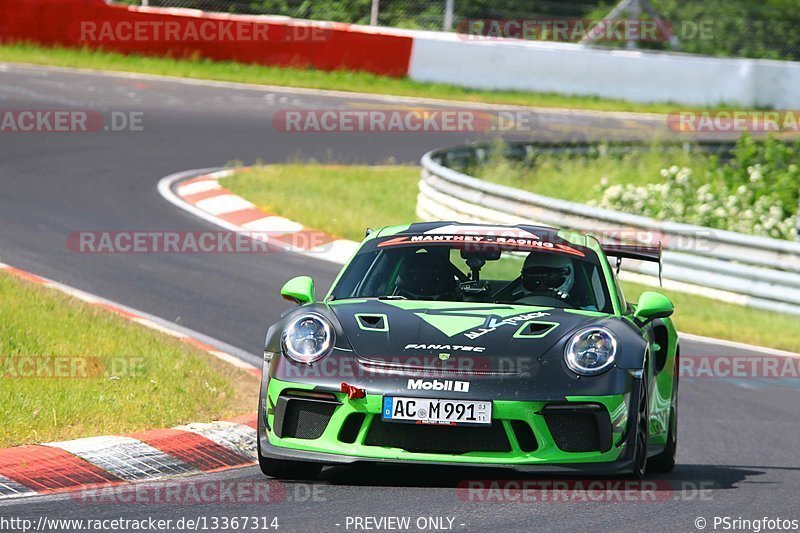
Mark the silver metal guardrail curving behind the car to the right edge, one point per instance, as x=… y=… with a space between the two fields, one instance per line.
x=754 y=271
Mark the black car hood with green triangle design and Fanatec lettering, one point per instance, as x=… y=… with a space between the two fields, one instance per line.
x=431 y=333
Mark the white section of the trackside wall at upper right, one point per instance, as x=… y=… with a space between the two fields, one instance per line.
x=637 y=76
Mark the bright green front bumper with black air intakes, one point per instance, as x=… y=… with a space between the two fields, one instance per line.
x=582 y=433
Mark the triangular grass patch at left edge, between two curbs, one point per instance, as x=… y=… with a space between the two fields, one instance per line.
x=119 y=376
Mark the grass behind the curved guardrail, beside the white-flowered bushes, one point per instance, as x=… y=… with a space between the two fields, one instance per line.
x=577 y=178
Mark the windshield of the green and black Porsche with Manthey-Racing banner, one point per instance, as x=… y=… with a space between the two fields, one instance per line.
x=559 y=276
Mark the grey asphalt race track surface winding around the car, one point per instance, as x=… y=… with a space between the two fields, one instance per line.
x=738 y=438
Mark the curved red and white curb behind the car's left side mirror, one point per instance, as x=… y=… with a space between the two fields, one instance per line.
x=206 y=198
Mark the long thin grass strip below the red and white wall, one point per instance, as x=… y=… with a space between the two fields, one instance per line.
x=314 y=79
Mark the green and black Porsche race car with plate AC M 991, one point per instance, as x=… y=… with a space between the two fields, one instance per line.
x=462 y=344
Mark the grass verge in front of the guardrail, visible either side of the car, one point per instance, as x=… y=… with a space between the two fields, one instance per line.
x=360 y=197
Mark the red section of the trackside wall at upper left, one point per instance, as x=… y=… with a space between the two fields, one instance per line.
x=189 y=33
